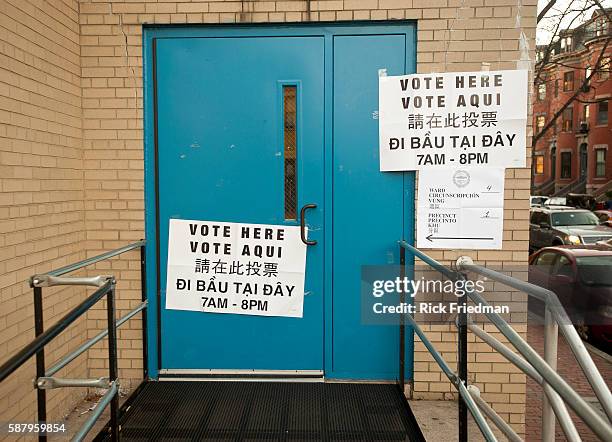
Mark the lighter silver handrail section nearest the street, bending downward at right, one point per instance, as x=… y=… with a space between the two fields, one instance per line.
x=551 y=378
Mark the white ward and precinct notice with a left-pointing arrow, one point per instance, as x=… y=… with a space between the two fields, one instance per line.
x=460 y=209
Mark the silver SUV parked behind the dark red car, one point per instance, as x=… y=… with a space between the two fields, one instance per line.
x=552 y=226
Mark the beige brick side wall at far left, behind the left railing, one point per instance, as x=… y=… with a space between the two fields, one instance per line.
x=42 y=218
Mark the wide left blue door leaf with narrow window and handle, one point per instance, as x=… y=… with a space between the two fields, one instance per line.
x=220 y=147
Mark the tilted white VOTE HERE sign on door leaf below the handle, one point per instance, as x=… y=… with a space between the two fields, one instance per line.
x=246 y=269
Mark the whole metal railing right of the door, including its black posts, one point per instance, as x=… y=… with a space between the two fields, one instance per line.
x=557 y=391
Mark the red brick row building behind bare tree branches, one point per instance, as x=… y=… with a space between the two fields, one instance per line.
x=573 y=155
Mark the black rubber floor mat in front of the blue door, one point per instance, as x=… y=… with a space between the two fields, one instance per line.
x=269 y=411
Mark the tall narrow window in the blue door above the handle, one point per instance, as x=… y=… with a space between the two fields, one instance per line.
x=290 y=149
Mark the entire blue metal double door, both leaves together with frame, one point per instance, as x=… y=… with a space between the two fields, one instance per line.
x=214 y=151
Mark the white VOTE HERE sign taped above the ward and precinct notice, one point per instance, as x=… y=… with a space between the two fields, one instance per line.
x=455 y=119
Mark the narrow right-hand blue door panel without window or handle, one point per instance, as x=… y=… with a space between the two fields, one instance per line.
x=369 y=206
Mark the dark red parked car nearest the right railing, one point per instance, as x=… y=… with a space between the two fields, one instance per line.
x=580 y=276
